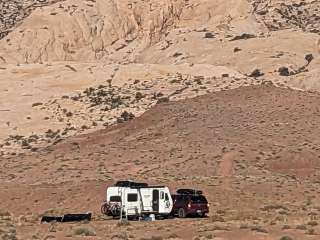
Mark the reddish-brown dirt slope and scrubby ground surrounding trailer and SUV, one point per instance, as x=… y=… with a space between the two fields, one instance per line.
x=256 y=160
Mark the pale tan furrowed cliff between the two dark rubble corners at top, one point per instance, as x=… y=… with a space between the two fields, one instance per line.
x=111 y=30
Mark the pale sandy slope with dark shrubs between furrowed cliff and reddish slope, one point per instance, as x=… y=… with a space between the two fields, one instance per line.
x=44 y=104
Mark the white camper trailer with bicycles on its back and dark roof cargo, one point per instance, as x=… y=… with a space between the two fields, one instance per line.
x=137 y=199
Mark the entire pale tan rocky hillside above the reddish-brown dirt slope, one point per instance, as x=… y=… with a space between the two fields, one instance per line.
x=63 y=48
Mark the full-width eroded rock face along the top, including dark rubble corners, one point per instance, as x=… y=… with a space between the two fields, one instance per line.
x=118 y=31
